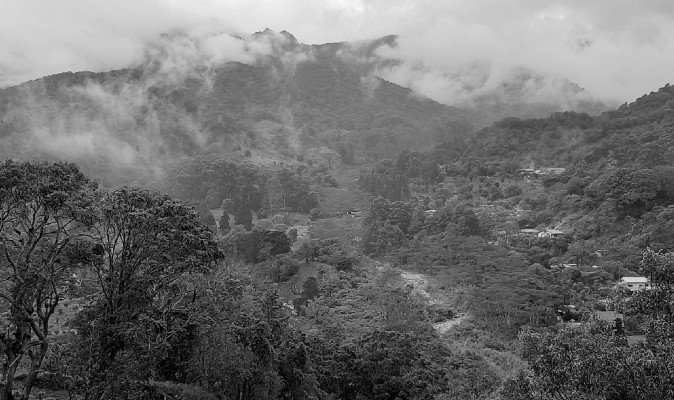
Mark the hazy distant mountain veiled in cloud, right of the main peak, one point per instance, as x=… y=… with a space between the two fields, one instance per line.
x=492 y=92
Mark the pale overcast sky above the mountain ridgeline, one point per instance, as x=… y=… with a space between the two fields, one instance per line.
x=617 y=49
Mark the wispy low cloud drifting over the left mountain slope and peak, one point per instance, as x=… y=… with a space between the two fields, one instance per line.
x=141 y=119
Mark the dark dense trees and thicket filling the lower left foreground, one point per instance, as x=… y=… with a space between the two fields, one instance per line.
x=165 y=310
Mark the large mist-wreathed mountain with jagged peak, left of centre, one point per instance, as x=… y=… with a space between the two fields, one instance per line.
x=223 y=94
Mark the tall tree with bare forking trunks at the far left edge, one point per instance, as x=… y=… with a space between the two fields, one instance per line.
x=44 y=210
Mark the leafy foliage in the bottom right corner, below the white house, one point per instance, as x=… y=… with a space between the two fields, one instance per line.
x=596 y=360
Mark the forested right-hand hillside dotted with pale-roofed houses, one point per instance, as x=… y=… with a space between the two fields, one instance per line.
x=531 y=229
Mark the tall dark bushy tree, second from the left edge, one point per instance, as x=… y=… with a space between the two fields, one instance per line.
x=141 y=322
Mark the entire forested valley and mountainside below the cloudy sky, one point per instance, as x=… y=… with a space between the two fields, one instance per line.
x=284 y=224
